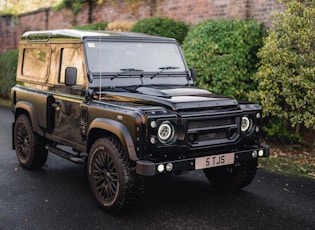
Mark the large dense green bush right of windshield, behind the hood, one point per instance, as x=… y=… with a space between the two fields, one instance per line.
x=224 y=55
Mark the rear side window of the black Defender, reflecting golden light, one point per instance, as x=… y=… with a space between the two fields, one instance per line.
x=36 y=62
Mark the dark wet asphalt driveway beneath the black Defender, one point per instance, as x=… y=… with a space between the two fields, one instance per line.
x=56 y=197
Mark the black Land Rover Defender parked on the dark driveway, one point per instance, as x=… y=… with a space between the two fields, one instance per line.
x=126 y=106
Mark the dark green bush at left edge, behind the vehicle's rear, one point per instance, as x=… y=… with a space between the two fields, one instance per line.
x=8 y=65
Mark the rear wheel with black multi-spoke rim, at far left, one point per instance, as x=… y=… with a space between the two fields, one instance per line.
x=30 y=147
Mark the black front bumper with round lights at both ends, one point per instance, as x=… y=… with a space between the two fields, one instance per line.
x=148 y=168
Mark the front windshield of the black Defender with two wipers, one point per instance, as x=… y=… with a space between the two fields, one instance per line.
x=134 y=56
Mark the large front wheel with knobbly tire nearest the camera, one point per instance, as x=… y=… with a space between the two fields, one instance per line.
x=112 y=177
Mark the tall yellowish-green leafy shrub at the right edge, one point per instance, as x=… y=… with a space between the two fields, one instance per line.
x=286 y=74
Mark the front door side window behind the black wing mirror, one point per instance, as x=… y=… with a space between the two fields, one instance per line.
x=71 y=57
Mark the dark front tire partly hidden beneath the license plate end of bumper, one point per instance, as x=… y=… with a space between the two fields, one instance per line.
x=232 y=177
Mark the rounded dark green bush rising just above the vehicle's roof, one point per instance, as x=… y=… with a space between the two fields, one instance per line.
x=162 y=26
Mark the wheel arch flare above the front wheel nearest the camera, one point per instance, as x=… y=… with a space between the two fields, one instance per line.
x=119 y=130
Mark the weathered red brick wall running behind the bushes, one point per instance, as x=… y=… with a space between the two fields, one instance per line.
x=188 y=11
